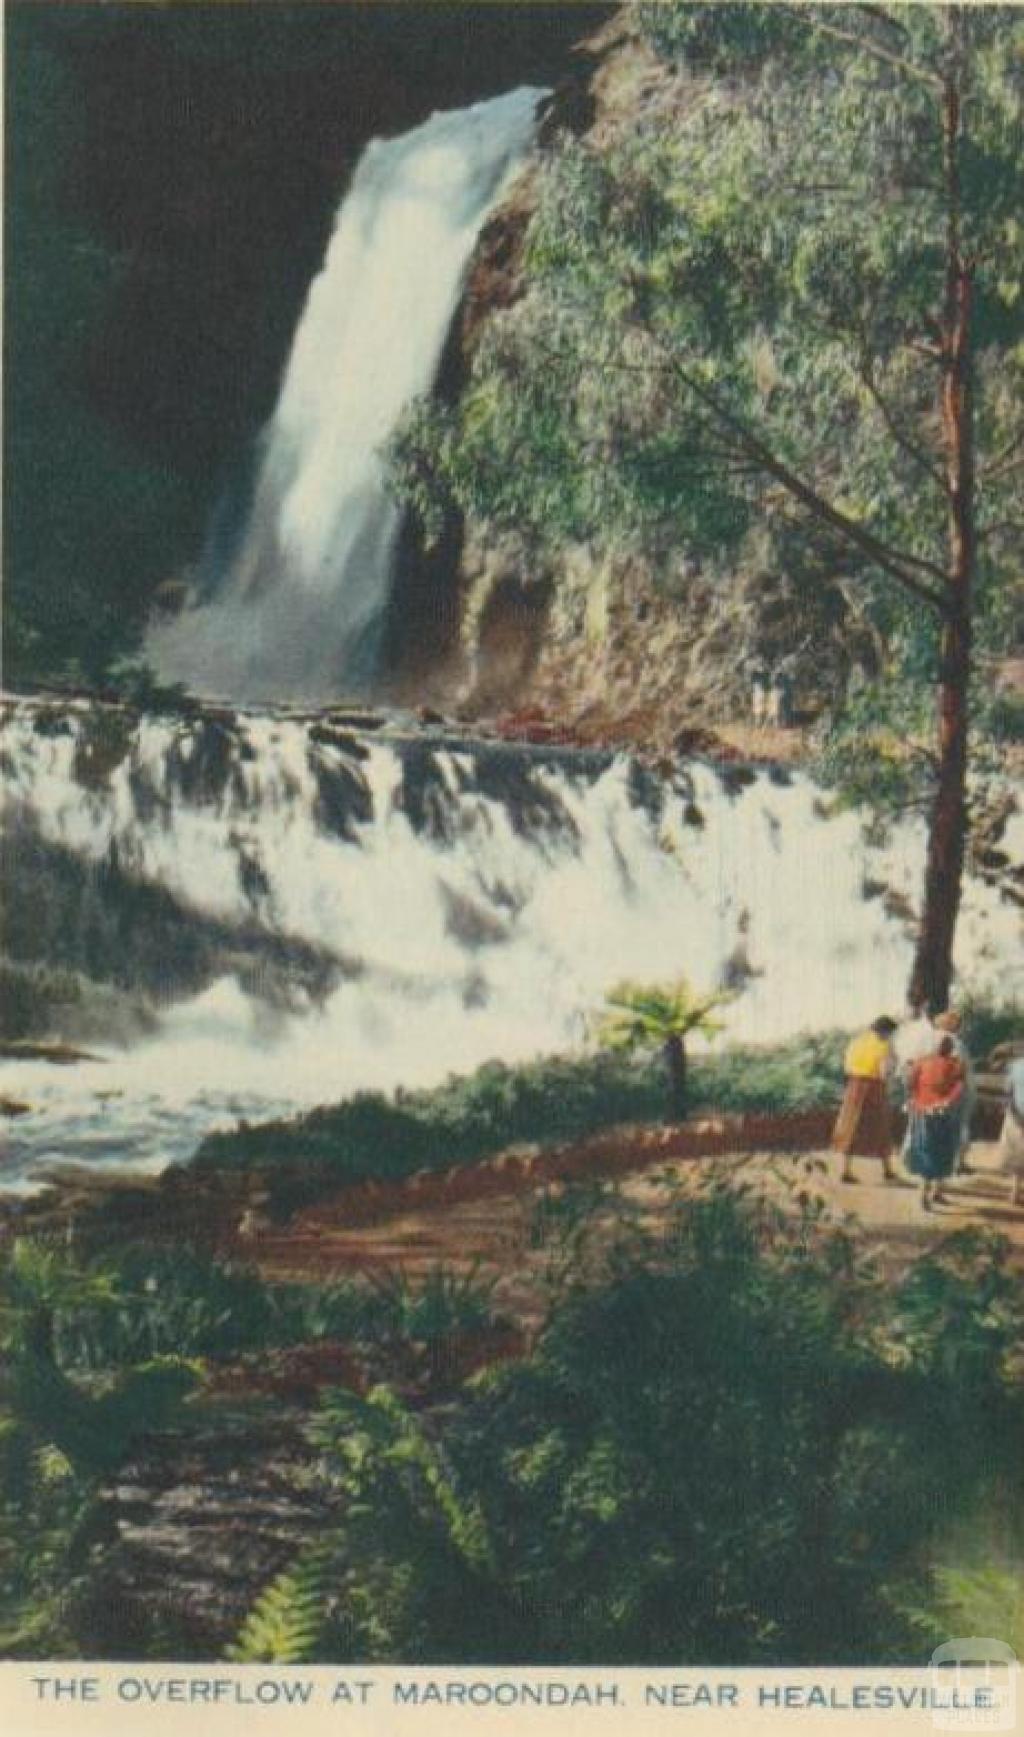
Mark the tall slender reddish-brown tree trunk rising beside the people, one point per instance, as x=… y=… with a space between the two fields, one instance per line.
x=949 y=824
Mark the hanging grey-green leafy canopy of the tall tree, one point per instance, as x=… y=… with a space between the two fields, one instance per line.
x=733 y=333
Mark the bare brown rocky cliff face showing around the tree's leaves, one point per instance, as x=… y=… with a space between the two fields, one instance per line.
x=640 y=647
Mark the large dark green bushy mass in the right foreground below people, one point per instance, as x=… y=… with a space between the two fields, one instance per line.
x=733 y=1446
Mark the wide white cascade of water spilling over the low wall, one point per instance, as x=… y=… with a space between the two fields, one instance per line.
x=473 y=901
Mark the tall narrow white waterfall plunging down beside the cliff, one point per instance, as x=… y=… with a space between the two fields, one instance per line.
x=301 y=609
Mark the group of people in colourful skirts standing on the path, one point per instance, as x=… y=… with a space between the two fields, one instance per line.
x=928 y=1060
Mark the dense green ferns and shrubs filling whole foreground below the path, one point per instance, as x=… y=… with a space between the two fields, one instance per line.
x=742 y=1443
